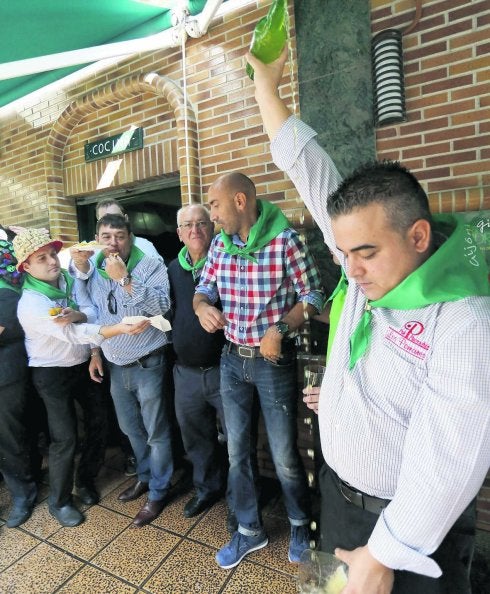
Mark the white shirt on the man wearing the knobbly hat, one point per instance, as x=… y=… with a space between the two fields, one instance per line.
x=51 y=345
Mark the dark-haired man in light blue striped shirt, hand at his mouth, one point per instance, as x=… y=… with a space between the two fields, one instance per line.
x=126 y=282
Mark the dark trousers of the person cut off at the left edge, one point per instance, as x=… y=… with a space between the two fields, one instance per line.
x=15 y=463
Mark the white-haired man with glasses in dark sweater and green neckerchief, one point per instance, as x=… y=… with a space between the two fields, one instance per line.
x=196 y=371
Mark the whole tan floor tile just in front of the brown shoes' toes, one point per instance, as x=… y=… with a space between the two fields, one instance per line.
x=136 y=553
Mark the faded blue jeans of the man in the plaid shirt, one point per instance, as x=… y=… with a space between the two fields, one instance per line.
x=277 y=390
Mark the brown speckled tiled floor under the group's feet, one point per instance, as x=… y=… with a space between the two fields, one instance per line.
x=106 y=555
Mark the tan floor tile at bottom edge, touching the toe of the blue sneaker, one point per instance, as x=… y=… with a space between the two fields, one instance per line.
x=190 y=568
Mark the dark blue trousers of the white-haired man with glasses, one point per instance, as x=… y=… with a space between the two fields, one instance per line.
x=197 y=405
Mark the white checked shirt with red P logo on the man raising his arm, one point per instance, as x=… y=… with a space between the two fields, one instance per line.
x=411 y=421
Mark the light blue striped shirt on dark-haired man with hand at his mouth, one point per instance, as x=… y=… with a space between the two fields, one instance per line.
x=149 y=297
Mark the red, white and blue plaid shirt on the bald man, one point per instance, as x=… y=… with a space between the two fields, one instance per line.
x=255 y=295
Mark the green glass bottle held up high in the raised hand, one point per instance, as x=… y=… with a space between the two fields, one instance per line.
x=270 y=35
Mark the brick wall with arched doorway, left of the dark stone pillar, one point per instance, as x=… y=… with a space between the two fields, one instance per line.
x=41 y=160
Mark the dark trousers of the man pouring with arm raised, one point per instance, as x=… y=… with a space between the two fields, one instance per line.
x=347 y=526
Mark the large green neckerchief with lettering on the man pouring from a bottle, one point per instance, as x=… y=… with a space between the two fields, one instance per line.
x=454 y=271
